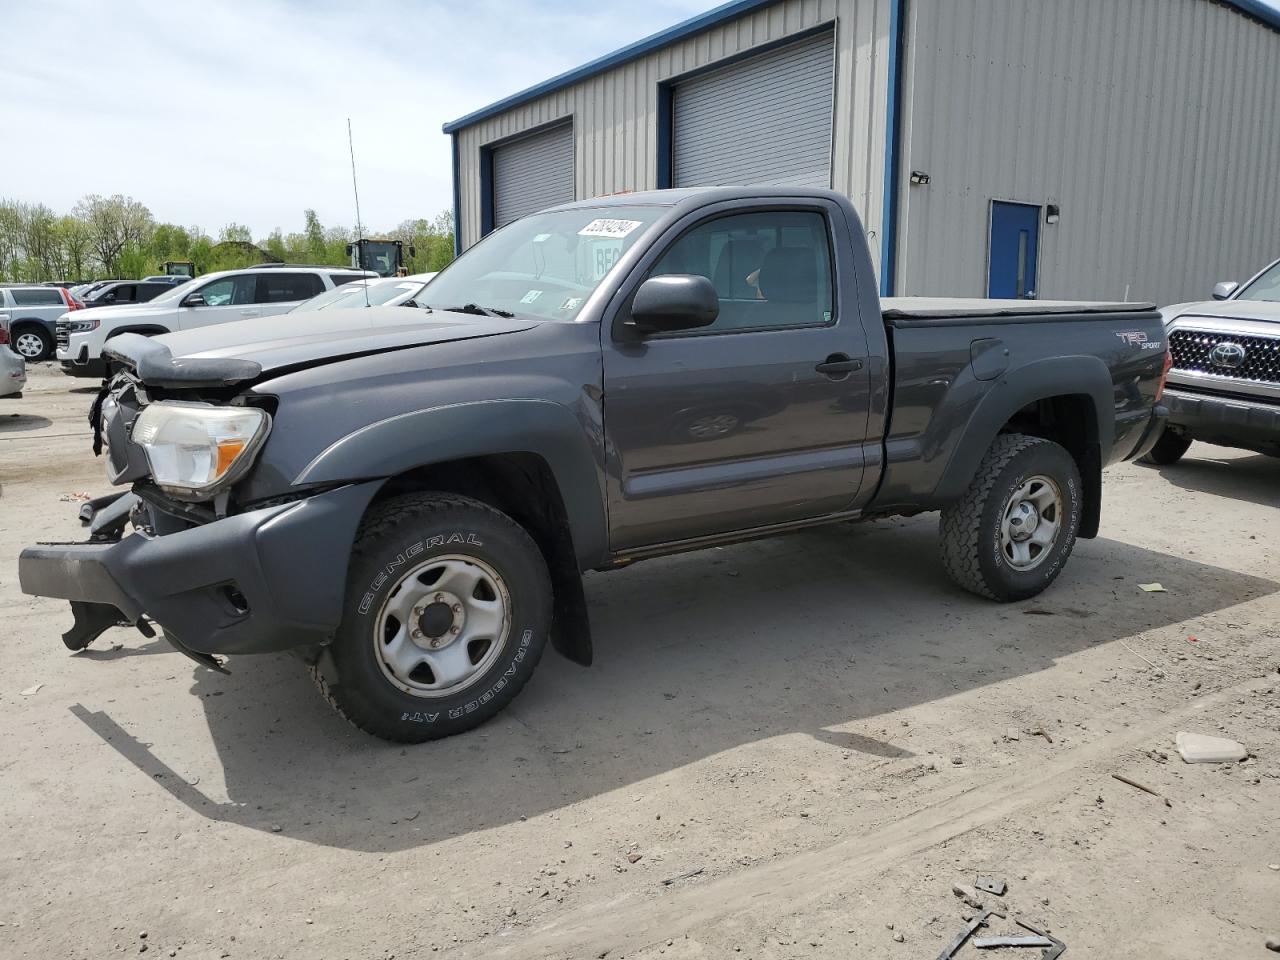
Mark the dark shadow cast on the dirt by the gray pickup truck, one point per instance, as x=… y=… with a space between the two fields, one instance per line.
x=804 y=633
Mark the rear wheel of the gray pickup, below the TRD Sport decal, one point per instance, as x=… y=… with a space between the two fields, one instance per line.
x=1012 y=532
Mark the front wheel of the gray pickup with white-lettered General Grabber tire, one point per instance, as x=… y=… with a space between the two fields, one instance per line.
x=447 y=612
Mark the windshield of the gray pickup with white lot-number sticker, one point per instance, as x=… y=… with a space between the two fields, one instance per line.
x=543 y=267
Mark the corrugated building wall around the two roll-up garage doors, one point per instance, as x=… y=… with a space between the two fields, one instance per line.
x=616 y=113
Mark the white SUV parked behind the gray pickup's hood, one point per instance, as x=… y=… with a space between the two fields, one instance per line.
x=213 y=299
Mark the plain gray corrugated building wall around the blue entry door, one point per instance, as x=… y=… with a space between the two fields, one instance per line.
x=1155 y=125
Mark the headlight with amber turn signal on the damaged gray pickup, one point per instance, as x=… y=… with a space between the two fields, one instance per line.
x=195 y=450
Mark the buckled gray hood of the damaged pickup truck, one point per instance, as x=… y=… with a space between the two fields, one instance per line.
x=226 y=354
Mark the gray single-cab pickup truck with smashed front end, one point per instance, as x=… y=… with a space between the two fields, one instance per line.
x=408 y=500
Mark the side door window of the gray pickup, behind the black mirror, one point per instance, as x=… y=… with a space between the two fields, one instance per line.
x=770 y=269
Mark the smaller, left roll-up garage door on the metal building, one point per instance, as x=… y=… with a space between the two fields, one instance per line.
x=533 y=175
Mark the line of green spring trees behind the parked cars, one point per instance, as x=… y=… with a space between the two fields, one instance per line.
x=118 y=239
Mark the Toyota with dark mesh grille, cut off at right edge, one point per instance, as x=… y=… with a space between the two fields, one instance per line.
x=1224 y=387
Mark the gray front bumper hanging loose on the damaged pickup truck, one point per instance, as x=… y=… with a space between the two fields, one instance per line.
x=264 y=580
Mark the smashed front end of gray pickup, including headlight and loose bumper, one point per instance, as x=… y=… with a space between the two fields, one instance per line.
x=179 y=550
